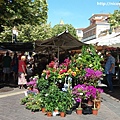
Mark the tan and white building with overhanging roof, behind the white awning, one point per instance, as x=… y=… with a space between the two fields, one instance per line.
x=98 y=23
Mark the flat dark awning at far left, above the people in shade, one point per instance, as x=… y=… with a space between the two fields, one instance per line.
x=19 y=46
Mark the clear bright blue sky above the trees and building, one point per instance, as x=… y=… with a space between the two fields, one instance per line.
x=78 y=12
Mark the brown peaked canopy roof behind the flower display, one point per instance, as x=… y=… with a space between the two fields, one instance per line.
x=64 y=41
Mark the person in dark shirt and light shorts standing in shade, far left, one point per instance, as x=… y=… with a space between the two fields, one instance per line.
x=6 y=66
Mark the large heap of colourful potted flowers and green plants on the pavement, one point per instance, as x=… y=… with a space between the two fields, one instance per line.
x=68 y=87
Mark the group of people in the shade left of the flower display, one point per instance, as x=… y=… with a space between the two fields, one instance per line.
x=16 y=68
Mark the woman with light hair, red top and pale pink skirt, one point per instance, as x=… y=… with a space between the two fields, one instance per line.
x=22 y=72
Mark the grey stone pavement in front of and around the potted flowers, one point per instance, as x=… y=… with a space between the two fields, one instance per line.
x=10 y=109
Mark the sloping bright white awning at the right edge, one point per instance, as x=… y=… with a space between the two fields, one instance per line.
x=112 y=40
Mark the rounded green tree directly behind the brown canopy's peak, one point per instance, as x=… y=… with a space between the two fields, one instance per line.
x=57 y=29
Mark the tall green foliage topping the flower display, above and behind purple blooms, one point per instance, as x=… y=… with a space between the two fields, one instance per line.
x=88 y=58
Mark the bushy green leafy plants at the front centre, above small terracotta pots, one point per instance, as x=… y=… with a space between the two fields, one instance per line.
x=53 y=98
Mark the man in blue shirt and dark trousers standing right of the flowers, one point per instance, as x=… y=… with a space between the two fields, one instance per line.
x=110 y=69
